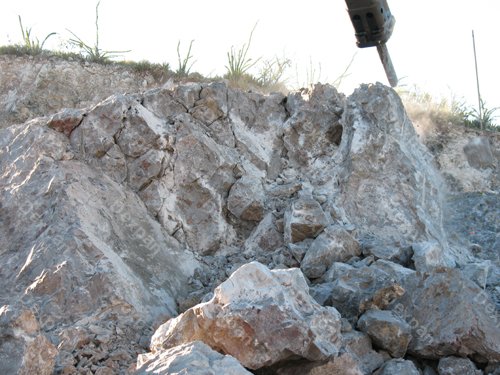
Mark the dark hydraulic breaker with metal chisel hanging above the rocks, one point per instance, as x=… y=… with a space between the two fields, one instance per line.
x=373 y=25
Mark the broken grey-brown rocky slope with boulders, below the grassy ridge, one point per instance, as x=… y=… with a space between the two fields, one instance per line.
x=308 y=233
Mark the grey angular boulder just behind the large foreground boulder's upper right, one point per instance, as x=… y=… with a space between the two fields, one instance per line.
x=334 y=244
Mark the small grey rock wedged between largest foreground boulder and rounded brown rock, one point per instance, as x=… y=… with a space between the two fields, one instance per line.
x=360 y=345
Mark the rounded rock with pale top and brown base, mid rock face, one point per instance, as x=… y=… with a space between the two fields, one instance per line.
x=246 y=199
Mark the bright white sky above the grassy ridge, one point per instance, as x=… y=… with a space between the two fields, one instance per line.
x=431 y=46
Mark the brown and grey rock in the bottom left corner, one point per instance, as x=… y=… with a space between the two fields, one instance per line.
x=24 y=349
